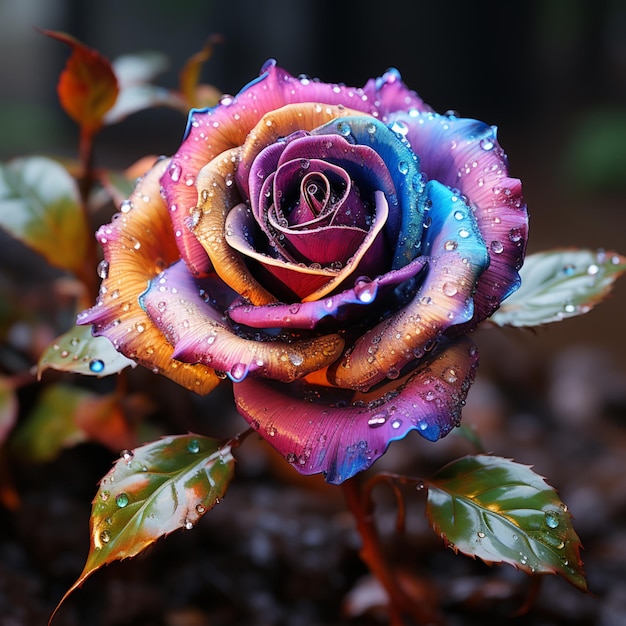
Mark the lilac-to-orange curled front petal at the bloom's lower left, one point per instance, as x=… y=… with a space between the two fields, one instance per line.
x=182 y=307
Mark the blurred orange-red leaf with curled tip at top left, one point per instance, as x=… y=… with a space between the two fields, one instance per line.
x=87 y=86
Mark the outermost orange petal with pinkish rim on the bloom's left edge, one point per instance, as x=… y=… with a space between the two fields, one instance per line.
x=137 y=246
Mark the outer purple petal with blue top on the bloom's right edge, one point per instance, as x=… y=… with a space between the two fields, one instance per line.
x=464 y=154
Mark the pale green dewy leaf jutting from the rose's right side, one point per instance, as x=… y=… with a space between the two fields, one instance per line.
x=558 y=284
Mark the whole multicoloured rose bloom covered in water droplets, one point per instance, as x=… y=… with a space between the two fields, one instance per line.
x=327 y=248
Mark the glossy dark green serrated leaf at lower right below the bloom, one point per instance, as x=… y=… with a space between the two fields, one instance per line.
x=501 y=511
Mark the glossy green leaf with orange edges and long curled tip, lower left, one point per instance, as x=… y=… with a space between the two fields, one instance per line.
x=151 y=492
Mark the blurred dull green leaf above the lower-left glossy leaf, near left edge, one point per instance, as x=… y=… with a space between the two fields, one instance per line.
x=51 y=426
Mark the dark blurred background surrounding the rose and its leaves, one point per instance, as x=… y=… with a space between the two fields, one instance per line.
x=551 y=74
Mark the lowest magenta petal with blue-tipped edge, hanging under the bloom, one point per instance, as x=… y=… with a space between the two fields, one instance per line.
x=340 y=441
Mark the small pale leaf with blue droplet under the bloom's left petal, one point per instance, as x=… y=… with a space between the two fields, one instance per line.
x=78 y=351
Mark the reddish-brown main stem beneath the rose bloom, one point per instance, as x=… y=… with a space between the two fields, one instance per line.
x=401 y=605
